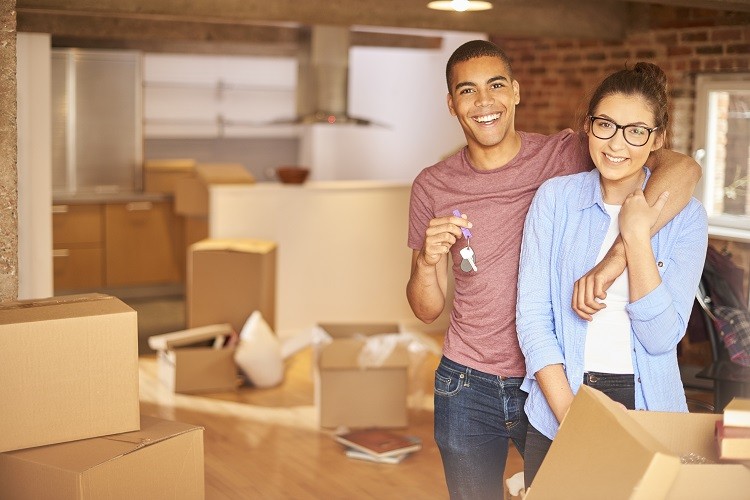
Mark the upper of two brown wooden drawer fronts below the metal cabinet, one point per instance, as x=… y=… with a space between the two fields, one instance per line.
x=77 y=225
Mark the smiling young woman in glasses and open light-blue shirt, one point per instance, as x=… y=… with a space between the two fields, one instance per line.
x=628 y=350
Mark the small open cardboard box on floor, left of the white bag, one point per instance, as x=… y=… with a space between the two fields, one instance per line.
x=186 y=364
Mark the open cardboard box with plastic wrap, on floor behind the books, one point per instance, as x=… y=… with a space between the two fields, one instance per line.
x=349 y=394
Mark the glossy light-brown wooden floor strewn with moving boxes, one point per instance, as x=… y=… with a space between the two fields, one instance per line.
x=265 y=443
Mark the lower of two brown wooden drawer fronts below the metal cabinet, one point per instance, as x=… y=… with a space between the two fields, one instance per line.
x=78 y=268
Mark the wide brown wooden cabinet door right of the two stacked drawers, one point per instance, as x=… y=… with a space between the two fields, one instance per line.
x=143 y=241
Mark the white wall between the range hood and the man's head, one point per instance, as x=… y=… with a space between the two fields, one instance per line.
x=403 y=89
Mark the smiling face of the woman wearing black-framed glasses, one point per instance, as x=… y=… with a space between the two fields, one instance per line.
x=618 y=160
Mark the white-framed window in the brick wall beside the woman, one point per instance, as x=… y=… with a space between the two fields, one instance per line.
x=722 y=146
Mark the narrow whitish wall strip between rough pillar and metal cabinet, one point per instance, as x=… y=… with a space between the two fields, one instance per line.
x=34 y=166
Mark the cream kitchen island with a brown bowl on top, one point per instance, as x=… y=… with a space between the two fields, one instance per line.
x=342 y=252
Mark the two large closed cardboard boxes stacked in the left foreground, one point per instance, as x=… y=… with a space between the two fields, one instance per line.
x=70 y=427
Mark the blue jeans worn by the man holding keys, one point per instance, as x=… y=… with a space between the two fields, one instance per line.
x=476 y=413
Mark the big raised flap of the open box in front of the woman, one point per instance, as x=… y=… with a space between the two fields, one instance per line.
x=600 y=451
